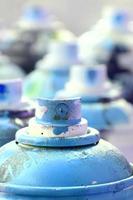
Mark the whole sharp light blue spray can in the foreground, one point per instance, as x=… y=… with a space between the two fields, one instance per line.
x=69 y=164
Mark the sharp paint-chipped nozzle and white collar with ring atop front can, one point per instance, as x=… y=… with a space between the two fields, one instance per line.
x=57 y=123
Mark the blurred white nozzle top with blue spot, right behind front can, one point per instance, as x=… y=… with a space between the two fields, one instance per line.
x=90 y=82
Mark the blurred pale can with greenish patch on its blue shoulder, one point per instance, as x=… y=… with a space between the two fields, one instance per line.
x=52 y=72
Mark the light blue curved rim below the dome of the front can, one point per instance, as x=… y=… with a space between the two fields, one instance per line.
x=115 y=186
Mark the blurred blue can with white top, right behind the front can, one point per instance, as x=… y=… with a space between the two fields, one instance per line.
x=102 y=102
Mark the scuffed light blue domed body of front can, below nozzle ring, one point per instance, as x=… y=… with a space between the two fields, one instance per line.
x=91 y=172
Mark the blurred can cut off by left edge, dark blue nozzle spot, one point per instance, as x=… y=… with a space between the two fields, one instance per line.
x=14 y=113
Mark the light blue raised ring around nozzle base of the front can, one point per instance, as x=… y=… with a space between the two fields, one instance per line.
x=91 y=138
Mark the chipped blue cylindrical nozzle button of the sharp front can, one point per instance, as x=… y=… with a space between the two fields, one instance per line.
x=59 y=112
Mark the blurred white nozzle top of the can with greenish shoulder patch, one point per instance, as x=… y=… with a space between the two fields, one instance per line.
x=62 y=55
